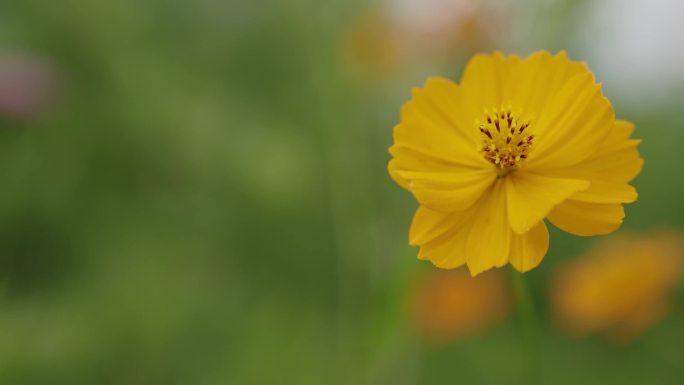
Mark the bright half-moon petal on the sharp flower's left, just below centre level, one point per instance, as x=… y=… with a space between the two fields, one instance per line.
x=449 y=191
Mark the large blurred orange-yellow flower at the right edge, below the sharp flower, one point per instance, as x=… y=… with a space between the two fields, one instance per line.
x=620 y=288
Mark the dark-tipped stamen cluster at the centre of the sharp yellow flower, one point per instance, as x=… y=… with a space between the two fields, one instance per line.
x=506 y=140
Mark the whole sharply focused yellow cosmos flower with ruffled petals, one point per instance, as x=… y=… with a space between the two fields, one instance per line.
x=517 y=141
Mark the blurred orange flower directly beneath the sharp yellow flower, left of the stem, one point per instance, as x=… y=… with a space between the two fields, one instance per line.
x=449 y=305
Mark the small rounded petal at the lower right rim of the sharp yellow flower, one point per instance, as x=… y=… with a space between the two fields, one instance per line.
x=582 y=218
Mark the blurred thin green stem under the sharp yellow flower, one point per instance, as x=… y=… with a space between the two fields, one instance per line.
x=528 y=321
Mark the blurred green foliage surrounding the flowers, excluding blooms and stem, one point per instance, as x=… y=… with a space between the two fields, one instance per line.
x=206 y=202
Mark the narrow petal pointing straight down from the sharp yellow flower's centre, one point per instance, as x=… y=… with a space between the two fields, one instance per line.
x=490 y=235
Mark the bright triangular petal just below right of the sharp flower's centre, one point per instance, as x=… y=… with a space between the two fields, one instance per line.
x=531 y=197
